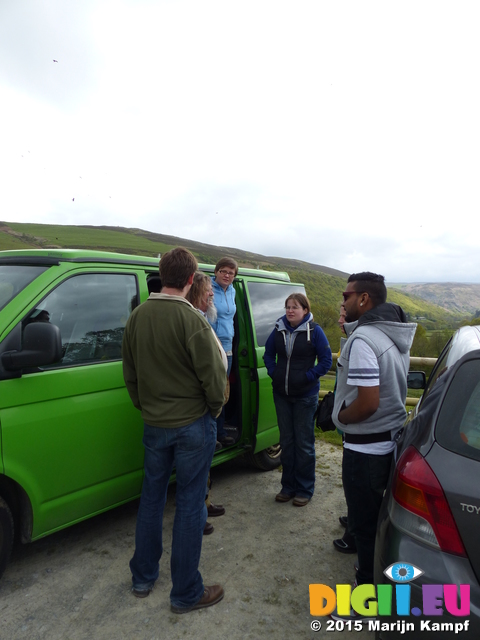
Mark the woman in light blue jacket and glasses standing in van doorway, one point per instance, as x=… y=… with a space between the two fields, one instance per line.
x=224 y=300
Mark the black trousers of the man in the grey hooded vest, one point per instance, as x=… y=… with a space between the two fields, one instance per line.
x=365 y=477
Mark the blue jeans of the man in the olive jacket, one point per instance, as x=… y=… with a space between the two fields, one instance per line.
x=190 y=449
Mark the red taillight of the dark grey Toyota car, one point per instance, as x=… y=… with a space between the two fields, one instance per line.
x=416 y=488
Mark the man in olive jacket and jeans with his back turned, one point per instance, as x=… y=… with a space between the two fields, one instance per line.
x=175 y=376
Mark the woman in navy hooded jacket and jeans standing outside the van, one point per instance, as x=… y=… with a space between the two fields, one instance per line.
x=291 y=351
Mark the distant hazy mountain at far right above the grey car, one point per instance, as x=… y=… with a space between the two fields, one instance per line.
x=452 y=296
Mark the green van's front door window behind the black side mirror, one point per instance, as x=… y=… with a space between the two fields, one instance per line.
x=91 y=311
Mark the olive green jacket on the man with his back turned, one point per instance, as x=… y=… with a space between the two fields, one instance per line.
x=171 y=362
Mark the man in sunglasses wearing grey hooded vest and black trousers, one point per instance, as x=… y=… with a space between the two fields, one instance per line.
x=370 y=403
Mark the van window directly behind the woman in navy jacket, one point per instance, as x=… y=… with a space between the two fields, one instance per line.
x=268 y=304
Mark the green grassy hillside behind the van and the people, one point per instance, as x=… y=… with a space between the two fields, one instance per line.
x=324 y=285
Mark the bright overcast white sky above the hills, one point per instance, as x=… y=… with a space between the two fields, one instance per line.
x=344 y=133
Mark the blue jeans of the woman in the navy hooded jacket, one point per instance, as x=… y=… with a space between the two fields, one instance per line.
x=297 y=439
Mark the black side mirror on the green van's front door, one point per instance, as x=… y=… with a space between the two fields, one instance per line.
x=42 y=345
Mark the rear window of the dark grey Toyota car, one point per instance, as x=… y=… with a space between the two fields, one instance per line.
x=458 y=426
